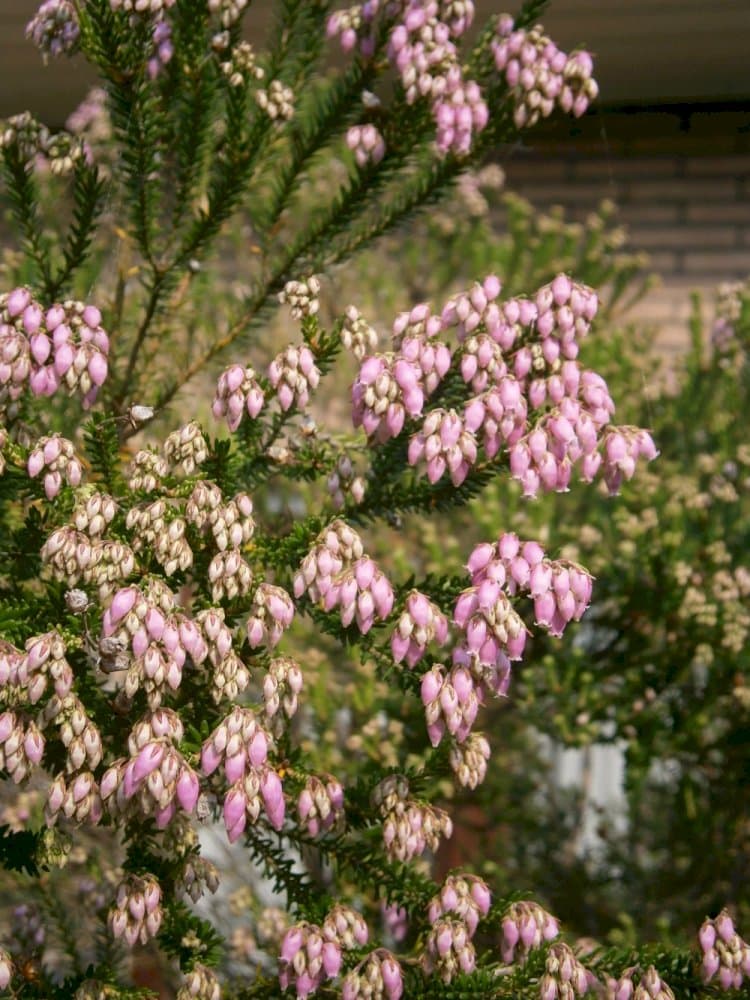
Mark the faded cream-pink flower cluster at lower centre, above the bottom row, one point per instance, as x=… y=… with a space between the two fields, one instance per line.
x=409 y=827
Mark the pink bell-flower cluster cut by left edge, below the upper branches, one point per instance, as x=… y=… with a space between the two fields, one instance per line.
x=62 y=346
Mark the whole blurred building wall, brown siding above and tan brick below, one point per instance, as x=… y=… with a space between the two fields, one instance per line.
x=668 y=141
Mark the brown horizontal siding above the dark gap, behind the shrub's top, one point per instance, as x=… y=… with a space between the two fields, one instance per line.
x=645 y=50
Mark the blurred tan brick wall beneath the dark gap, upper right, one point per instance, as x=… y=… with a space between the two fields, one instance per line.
x=681 y=179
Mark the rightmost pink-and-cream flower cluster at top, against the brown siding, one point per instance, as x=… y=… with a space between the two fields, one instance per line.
x=540 y=75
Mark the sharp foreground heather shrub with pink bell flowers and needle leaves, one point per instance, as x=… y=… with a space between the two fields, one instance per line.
x=199 y=640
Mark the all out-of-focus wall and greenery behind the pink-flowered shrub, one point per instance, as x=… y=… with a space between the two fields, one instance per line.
x=613 y=792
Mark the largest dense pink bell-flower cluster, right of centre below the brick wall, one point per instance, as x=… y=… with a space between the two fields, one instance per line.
x=533 y=397
